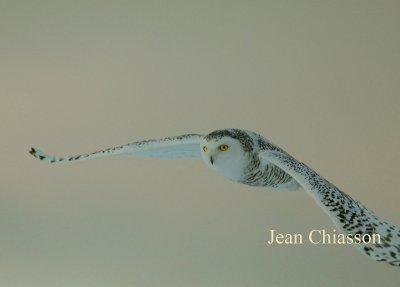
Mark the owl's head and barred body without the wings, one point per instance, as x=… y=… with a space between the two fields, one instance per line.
x=242 y=164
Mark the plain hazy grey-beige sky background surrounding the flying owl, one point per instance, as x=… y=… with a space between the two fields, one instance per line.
x=319 y=78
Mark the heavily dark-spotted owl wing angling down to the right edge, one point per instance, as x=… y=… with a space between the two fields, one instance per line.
x=349 y=215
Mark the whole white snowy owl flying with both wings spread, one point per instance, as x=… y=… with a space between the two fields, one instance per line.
x=248 y=158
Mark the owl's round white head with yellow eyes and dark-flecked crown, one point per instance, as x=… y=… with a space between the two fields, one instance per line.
x=224 y=151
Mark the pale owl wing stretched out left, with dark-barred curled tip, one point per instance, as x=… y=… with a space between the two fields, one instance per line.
x=182 y=146
